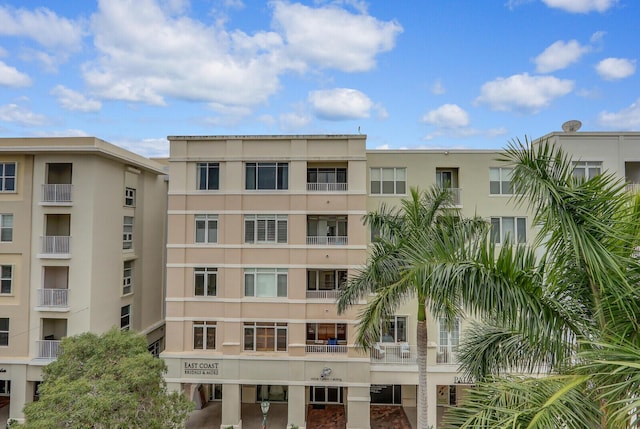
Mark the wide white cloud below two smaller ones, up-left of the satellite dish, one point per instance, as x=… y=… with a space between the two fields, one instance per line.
x=523 y=92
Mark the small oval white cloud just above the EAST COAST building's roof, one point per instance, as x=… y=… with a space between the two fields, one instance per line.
x=340 y=104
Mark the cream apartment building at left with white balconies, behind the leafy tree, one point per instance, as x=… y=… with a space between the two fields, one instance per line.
x=82 y=233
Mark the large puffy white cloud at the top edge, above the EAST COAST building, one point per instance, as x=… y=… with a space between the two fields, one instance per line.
x=331 y=37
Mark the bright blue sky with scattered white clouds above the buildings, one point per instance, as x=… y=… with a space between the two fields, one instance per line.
x=410 y=74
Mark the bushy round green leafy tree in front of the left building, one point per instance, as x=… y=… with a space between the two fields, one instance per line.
x=106 y=381
